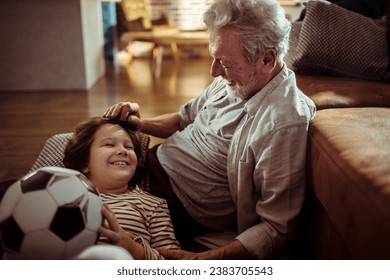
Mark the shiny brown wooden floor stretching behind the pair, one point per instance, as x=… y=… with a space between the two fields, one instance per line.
x=28 y=118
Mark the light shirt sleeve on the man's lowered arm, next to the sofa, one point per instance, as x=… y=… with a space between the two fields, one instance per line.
x=279 y=178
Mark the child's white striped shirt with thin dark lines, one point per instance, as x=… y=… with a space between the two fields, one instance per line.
x=145 y=216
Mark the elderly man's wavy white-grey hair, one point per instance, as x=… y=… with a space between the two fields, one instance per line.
x=260 y=24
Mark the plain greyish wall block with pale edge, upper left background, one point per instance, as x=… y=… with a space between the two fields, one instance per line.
x=50 y=44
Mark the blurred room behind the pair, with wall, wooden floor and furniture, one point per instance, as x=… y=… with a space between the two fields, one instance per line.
x=64 y=61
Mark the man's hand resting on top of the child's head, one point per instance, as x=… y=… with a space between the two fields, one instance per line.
x=124 y=111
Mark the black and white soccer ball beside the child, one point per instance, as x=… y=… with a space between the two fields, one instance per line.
x=52 y=213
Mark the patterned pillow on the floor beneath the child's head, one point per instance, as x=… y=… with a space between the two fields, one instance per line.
x=53 y=153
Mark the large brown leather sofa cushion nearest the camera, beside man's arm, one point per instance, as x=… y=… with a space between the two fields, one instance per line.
x=348 y=171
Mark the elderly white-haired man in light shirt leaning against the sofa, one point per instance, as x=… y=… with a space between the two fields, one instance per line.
x=234 y=156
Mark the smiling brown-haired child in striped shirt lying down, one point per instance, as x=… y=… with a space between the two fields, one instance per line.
x=106 y=151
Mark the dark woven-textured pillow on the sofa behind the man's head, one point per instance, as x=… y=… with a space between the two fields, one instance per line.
x=341 y=42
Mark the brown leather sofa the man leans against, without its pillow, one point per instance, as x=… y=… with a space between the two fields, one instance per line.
x=347 y=209
